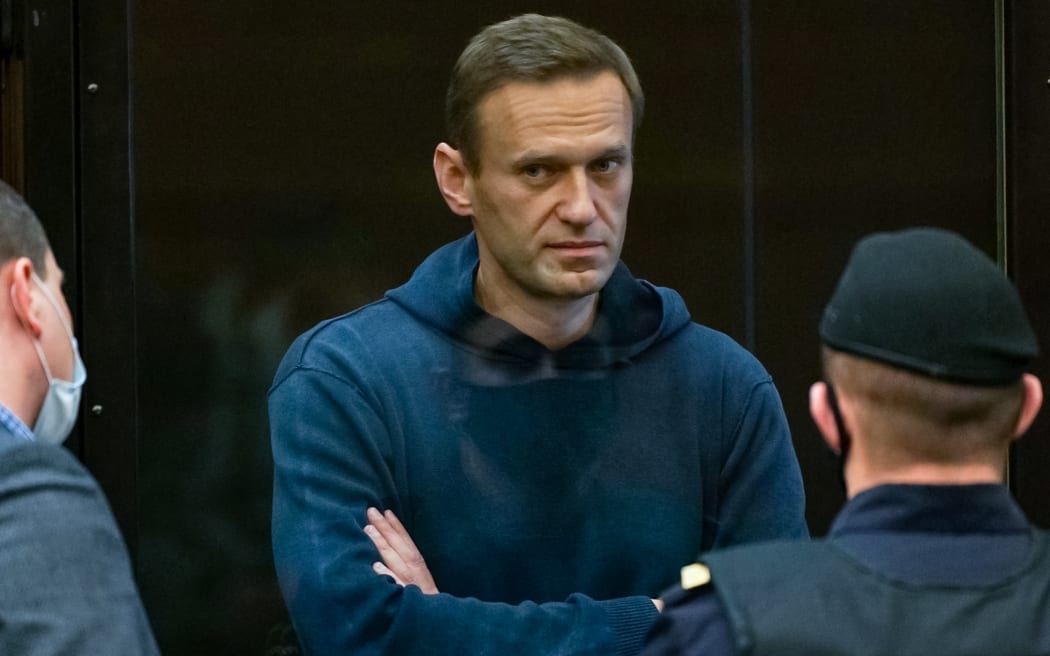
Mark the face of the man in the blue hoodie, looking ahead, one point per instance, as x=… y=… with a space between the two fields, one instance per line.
x=550 y=202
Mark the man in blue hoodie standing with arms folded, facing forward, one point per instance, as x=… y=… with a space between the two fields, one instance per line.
x=557 y=436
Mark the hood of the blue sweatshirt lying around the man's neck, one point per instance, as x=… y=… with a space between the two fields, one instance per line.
x=633 y=314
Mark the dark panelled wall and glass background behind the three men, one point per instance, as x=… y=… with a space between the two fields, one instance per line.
x=242 y=171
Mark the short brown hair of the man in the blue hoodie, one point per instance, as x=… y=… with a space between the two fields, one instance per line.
x=528 y=49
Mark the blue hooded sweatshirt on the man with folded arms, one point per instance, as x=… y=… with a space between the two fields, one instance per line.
x=552 y=493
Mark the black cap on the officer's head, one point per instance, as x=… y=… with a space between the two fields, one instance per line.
x=927 y=301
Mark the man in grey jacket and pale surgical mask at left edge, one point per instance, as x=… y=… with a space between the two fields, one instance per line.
x=67 y=585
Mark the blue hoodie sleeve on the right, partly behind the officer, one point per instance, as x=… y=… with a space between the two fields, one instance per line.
x=761 y=485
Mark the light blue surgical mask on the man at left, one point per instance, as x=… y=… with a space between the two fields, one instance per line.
x=58 y=415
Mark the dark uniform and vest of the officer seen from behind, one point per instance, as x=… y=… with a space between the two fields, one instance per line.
x=906 y=570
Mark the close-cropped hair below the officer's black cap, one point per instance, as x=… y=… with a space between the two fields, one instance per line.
x=922 y=418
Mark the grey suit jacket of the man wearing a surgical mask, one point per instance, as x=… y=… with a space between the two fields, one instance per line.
x=66 y=578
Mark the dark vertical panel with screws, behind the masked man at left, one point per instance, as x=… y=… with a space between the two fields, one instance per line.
x=106 y=200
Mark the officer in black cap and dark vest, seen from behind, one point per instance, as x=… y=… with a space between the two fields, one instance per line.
x=926 y=346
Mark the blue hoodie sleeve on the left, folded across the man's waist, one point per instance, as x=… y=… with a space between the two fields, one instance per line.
x=333 y=460
